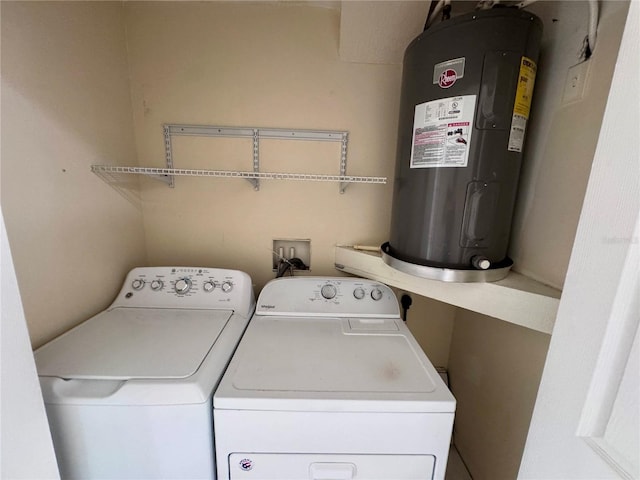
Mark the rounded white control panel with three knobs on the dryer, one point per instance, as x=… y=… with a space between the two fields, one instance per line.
x=327 y=296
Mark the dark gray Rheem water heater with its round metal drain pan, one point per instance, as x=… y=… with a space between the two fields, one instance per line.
x=467 y=86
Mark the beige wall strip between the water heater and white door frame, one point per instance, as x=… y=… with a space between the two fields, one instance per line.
x=562 y=137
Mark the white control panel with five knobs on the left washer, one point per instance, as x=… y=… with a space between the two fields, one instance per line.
x=184 y=287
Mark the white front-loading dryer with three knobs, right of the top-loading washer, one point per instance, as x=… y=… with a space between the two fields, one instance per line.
x=328 y=383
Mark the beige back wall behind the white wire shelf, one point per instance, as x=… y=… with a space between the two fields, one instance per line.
x=270 y=65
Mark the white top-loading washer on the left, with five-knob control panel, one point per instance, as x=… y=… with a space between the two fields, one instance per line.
x=128 y=393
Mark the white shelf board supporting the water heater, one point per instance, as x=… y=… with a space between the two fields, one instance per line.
x=515 y=299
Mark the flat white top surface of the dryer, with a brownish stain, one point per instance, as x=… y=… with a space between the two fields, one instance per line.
x=329 y=356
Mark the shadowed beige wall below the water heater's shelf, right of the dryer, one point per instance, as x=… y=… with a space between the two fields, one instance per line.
x=494 y=370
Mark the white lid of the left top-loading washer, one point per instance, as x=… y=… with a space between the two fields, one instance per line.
x=134 y=343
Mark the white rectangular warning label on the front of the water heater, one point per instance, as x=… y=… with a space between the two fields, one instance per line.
x=442 y=132
